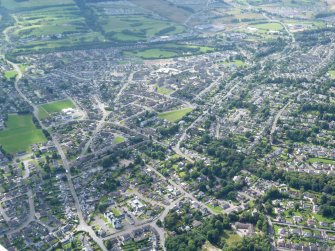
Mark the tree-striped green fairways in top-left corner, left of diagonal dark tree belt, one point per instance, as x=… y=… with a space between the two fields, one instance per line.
x=50 y=26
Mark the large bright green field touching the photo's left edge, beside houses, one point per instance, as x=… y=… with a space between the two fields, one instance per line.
x=20 y=133
